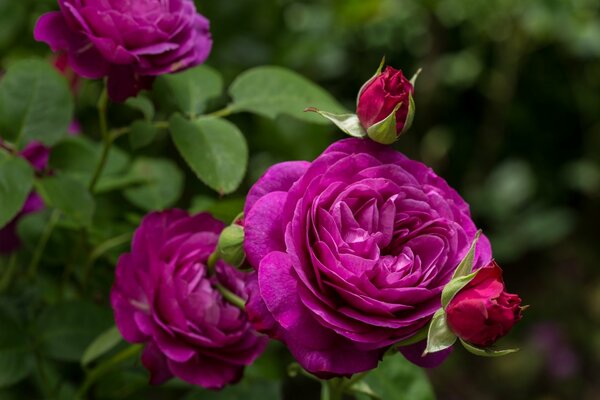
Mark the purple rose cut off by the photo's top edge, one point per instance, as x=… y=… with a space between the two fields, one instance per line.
x=127 y=40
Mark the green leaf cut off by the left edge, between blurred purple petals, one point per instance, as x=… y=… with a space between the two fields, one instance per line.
x=16 y=181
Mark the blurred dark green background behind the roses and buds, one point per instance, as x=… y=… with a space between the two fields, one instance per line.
x=508 y=111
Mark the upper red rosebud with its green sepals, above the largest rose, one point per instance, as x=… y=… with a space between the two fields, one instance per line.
x=385 y=106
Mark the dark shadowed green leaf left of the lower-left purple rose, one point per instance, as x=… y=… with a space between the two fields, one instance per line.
x=67 y=329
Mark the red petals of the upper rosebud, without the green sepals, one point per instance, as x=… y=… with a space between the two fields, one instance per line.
x=381 y=95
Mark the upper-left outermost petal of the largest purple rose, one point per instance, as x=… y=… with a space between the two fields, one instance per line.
x=280 y=177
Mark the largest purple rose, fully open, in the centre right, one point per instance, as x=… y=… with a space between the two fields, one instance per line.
x=352 y=252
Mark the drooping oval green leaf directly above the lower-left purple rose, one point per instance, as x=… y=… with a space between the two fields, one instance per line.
x=215 y=150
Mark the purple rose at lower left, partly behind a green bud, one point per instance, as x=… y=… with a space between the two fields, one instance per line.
x=164 y=297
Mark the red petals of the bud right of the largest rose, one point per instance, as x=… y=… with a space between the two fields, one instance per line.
x=482 y=312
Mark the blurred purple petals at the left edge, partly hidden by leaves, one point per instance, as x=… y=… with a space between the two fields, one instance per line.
x=37 y=155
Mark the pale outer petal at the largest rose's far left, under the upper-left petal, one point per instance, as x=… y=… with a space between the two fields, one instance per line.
x=262 y=228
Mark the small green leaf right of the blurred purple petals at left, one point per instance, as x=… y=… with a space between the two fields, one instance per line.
x=68 y=195
